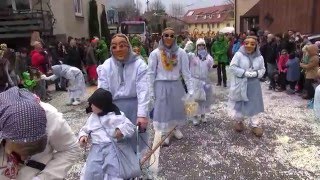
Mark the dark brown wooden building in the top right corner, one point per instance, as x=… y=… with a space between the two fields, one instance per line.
x=279 y=16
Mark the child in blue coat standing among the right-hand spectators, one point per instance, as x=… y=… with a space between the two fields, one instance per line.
x=293 y=72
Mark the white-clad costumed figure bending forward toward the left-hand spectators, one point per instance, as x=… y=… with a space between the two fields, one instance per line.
x=76 y=86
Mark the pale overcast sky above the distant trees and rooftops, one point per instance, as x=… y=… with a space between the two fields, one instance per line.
x=189 y=4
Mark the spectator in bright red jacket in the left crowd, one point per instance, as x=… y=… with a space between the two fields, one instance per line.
x=38 y=59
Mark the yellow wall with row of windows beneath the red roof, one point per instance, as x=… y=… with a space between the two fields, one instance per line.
x=215 y=27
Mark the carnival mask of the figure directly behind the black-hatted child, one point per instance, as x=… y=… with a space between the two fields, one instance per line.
x=120 y=48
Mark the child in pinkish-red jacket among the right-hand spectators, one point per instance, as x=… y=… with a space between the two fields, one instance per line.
x=282 y=69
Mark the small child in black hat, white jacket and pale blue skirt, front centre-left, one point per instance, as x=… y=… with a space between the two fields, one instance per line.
x=105 y=127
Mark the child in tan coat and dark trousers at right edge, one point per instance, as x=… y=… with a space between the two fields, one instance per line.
x=311 y=68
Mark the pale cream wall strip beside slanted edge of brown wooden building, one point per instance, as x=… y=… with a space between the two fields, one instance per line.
x=242 y=6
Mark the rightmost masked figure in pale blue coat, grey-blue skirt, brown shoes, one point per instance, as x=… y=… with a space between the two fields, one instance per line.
x=245 y=96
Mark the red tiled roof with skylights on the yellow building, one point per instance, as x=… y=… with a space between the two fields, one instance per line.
x=213 y=14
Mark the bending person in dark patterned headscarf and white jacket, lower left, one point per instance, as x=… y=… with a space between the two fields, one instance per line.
x=37 y=143
